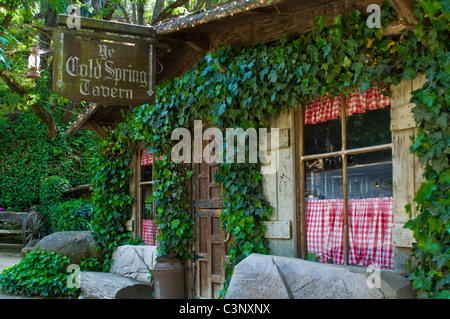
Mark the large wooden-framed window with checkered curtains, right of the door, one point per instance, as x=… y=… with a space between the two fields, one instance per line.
x=346 y=182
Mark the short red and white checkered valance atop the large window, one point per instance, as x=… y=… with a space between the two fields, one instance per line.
x=324 y=109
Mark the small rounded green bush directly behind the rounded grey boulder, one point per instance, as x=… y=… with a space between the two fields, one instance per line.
x=71 y=215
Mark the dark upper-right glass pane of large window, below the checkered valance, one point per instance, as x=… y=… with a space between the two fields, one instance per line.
x=369 y=128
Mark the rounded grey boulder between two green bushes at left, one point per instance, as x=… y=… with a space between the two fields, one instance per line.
x=74 y=244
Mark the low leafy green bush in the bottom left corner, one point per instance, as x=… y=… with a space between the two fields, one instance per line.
x=39 y=273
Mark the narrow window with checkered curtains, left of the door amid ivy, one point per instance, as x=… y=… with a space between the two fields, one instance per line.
x=145 y=208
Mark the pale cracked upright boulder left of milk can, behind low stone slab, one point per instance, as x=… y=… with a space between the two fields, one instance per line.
x=134 y=262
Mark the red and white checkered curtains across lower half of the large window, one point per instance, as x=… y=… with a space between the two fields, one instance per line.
x=370 y=231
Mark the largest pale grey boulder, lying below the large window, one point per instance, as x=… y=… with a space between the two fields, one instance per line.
x=273 y=277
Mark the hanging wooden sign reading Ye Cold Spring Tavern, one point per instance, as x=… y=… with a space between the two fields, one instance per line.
x=94 y=64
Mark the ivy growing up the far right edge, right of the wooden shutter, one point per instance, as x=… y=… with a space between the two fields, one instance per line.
x=431 y=227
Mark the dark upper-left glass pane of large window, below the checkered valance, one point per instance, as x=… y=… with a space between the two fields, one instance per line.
x=323 y=137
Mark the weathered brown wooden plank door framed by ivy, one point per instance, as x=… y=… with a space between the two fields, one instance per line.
x=210 y=240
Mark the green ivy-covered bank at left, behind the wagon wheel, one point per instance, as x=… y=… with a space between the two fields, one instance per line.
x=28 y=157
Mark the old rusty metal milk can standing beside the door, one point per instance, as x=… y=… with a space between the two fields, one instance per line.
x=168 y=278
